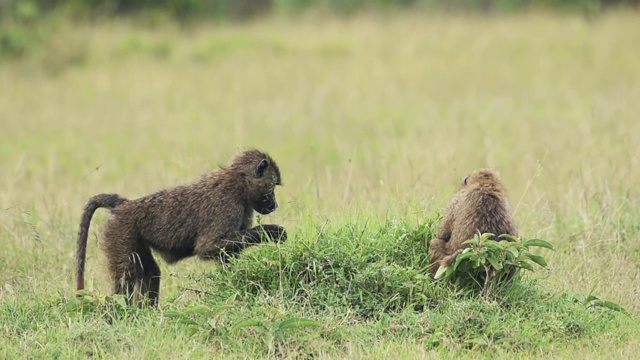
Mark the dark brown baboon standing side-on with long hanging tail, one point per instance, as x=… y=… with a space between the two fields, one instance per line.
x=210 y=218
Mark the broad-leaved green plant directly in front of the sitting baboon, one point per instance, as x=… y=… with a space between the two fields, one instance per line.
x=487 y=263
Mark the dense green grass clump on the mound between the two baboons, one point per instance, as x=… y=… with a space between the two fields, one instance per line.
x=369 y=270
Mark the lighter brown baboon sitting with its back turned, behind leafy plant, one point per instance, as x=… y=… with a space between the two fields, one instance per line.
x=480 y=206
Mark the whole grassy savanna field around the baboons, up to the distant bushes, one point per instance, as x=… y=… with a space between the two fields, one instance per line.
x=373 y=120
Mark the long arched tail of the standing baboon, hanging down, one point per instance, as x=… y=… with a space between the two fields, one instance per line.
x=108 y=201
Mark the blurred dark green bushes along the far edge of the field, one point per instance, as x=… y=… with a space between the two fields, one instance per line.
x=22 y=31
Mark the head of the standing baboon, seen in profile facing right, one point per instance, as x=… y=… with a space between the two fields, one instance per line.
x=262 y=175
